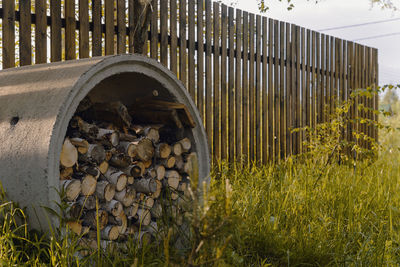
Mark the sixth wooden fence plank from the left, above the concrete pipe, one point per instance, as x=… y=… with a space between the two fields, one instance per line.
x=83 y=29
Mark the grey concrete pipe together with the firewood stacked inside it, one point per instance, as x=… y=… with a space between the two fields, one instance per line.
x=44 y=110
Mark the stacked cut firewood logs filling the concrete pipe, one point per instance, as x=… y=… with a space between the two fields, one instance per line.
x=131 y=171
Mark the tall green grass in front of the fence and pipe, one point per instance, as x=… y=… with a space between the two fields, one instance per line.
x=301 y=212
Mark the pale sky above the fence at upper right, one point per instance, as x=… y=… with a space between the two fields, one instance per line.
x=336 y=13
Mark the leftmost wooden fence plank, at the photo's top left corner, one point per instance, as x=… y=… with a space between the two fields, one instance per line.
x=8 y=34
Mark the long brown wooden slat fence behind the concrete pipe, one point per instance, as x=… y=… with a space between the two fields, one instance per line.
x=252 y=78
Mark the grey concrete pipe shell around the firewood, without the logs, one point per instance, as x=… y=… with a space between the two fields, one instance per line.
x=37 y=103
